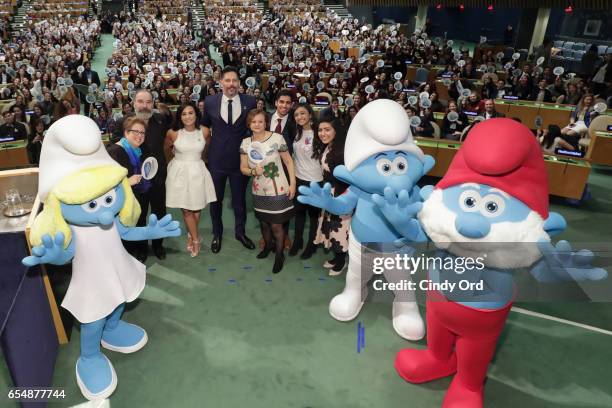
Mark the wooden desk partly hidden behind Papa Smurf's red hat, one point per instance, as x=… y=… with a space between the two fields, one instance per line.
x=566 y=177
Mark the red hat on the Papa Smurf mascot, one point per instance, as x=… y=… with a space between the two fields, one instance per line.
x=504 y=154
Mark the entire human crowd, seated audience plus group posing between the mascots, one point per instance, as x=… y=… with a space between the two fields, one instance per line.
x=274 y=68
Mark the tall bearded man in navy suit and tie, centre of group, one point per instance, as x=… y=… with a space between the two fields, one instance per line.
x=225 y=116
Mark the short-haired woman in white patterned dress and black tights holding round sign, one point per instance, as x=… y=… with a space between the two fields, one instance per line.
x=260 y=158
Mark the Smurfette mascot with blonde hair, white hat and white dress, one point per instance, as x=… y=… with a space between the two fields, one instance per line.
x=89 y=208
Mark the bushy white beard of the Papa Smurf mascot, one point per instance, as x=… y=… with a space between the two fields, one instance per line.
x=508 y=245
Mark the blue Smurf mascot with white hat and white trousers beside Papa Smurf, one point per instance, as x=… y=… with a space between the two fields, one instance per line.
x=381 y=158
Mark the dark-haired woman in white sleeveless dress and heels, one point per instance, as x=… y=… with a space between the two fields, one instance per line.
x=188 y=184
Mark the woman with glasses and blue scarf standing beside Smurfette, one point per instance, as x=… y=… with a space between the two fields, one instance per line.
x=130 y=152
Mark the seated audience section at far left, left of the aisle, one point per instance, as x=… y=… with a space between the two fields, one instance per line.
x=39 y=67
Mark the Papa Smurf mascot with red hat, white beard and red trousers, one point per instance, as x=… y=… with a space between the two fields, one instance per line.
x=493 y=199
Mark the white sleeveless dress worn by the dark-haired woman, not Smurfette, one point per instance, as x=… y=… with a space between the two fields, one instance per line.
x=188 y=183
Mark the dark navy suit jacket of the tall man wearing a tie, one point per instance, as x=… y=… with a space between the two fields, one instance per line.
x=224 y=152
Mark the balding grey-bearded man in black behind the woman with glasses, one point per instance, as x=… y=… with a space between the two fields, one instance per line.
x=157 y=126
